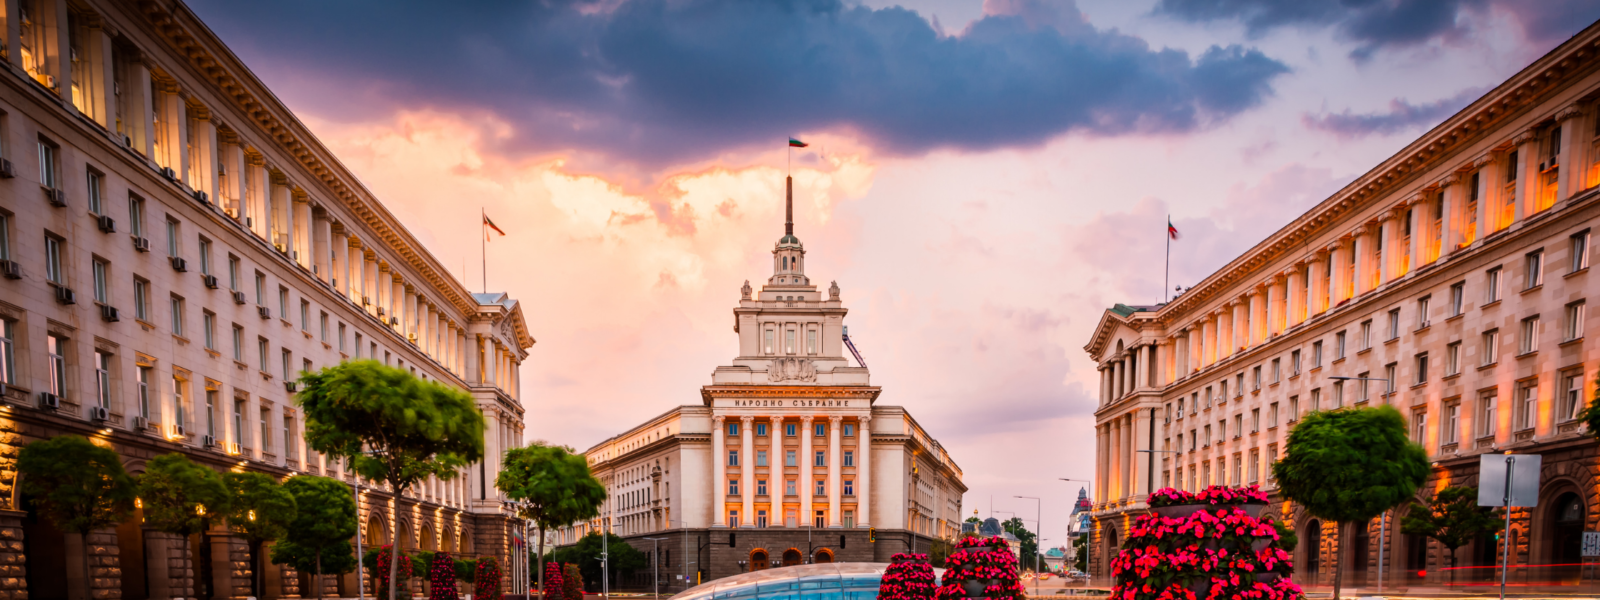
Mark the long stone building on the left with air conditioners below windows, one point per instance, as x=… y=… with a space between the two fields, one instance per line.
x=177 y=249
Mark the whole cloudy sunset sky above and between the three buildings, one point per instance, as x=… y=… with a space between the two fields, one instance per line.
x=985 y=177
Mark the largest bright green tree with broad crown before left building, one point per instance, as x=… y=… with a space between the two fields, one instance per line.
x=391 y=426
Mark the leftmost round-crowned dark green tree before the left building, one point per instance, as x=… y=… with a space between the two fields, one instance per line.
x=79 y=487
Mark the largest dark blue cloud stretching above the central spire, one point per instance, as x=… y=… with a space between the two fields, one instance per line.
x=662 y=84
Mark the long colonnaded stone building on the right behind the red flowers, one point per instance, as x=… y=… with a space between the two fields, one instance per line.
x=1457 y=274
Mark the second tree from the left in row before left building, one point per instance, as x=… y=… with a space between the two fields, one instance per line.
x=182 y=497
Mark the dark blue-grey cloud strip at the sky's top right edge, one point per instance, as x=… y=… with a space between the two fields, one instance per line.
x=1383 y=25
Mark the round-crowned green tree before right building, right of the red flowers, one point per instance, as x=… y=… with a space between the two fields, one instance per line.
x=1350 y=466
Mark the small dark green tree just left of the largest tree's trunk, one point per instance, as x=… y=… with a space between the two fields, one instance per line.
x=319 y=538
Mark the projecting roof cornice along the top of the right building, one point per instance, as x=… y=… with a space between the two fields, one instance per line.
x=1513 y=98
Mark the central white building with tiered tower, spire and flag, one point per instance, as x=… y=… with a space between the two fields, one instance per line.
x=788 y=458
